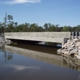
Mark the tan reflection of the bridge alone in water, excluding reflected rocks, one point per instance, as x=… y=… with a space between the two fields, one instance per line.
x=42 y=56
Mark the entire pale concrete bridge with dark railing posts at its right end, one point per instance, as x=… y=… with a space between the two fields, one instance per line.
x=55 y=37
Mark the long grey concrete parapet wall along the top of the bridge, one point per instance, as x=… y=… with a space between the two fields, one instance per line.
x=40 y=34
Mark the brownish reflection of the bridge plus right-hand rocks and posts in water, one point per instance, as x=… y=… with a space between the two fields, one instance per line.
x=67 y=61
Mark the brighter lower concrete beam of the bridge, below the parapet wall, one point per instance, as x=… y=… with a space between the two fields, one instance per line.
x=37 y=39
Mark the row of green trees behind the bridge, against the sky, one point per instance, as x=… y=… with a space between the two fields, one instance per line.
x=10 y=26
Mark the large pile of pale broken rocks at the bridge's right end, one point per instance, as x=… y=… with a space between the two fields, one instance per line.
x=72 y=47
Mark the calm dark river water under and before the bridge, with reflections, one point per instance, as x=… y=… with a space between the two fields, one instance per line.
x=35 y=62
